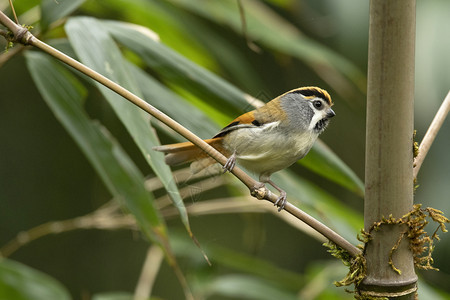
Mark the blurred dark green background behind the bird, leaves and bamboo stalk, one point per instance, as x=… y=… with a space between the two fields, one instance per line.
x=45 y=177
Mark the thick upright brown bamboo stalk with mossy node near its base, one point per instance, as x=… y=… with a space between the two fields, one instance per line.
x=389 y=139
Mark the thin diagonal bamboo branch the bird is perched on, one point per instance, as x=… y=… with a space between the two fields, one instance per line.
x=24 y=36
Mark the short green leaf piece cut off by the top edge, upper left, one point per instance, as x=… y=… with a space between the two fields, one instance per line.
x=52 y=10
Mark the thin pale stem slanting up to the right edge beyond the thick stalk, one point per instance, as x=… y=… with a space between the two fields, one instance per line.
x=431 y=133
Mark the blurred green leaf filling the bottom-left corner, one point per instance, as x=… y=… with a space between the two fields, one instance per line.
x=20 y=282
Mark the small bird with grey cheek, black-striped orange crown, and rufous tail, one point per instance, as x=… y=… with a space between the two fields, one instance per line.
x=264 y=140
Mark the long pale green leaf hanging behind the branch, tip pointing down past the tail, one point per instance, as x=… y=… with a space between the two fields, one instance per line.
x=96 y=49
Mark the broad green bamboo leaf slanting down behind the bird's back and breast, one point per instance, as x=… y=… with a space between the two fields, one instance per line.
x=201 y=82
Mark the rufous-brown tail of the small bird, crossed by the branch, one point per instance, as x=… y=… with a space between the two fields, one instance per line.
x=188 y=152
